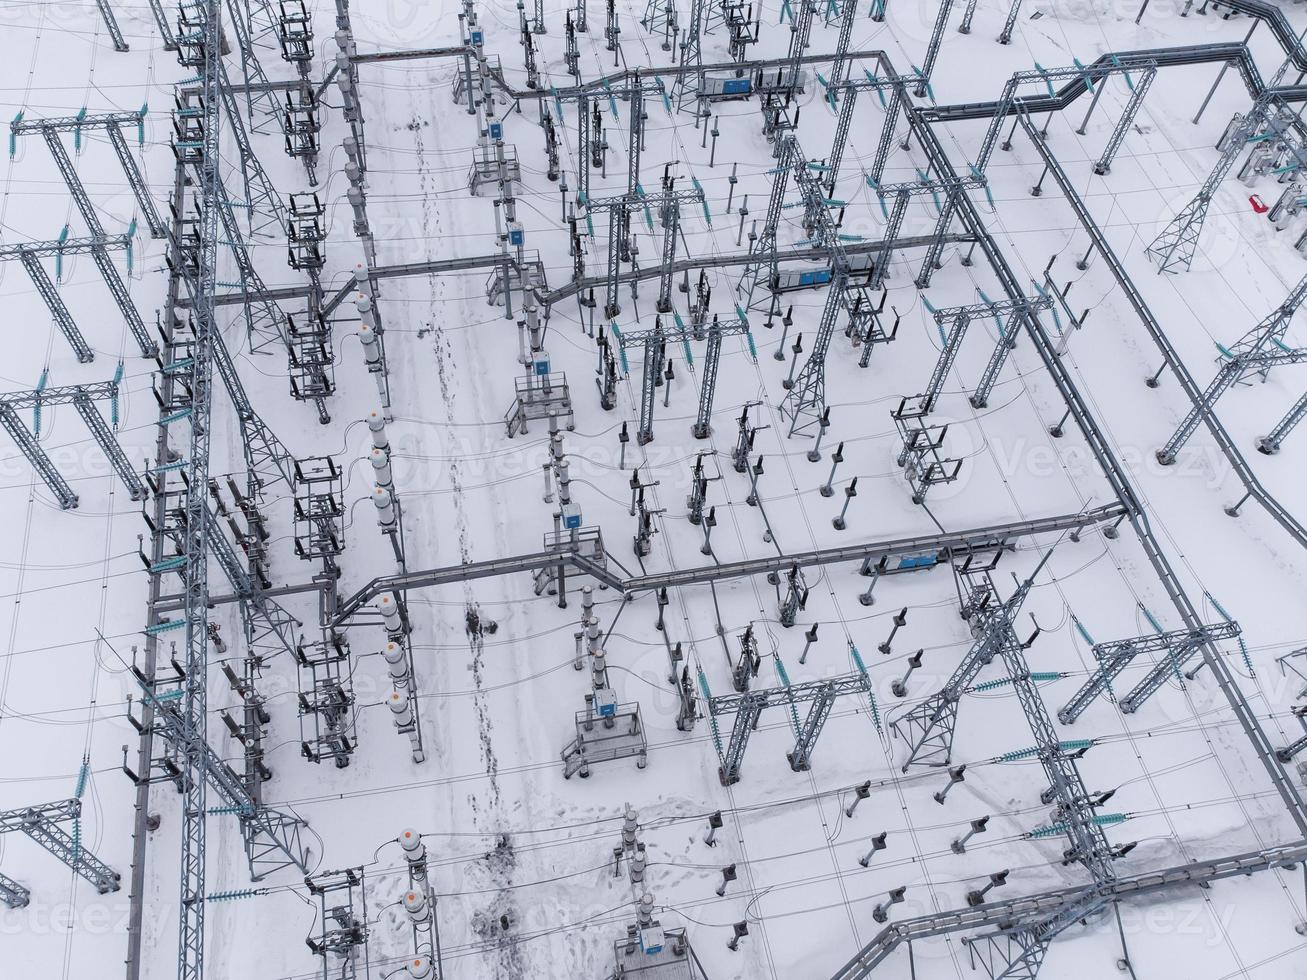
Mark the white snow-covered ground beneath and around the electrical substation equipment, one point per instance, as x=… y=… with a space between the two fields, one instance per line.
x=522 y=860
